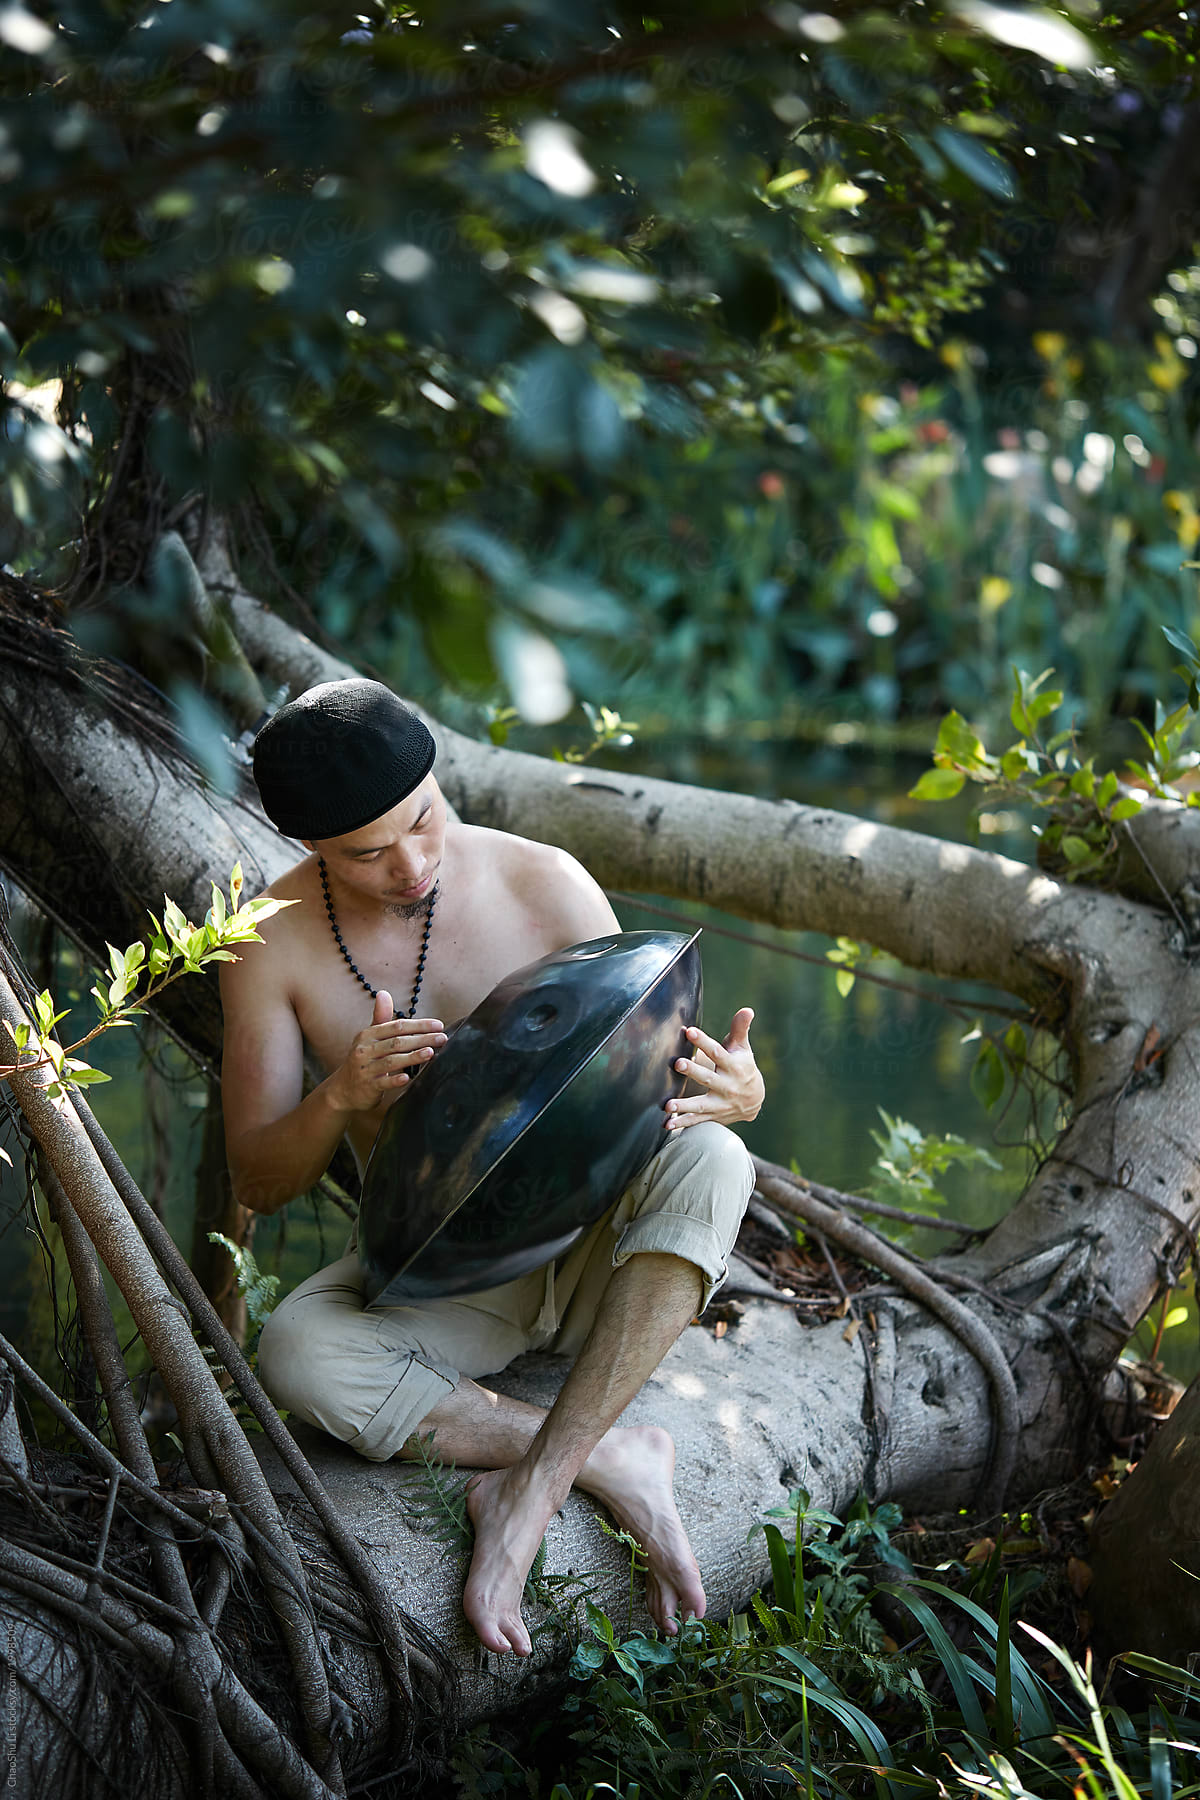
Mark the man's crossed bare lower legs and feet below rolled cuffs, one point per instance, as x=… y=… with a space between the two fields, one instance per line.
x=533 y=1459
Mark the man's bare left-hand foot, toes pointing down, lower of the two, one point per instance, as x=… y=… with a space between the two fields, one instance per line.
x=510 y=1520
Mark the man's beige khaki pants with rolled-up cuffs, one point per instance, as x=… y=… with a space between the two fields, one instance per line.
x=372 y=1374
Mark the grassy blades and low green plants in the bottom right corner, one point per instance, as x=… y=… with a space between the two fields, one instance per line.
x=807 y=1695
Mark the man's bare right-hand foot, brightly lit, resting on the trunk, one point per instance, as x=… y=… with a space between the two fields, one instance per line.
x=632 y=1473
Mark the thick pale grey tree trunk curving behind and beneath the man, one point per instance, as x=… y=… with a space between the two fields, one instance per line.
x=906 y=1407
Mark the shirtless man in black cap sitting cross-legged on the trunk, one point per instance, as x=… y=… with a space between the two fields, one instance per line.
x=399 y=901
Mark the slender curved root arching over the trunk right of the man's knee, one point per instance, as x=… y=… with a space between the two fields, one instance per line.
x=800 y=1200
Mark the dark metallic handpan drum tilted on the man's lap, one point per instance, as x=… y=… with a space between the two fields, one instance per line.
x=532 y=1120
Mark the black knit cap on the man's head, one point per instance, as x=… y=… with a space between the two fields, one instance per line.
x=339 y=757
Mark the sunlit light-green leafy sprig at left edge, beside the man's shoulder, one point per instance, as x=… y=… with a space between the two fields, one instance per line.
x=138 y=976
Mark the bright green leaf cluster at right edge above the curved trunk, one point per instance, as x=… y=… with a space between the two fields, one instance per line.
x=1079 y=811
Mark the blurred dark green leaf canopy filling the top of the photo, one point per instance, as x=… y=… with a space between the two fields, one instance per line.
x=553 y=339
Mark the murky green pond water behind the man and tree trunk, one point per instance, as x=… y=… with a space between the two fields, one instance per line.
x=830 y=1063
